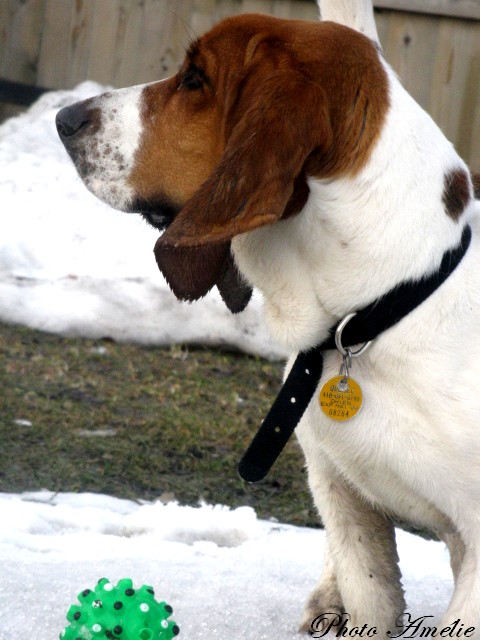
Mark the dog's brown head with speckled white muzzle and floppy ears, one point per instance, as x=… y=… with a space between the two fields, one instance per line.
x=227 y=144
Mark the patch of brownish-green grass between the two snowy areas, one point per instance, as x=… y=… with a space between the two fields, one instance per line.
x=140 y=422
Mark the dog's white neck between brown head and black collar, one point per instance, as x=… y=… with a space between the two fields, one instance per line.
x=358 y=237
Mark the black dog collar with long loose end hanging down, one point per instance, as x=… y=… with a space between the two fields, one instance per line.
x=305 y=374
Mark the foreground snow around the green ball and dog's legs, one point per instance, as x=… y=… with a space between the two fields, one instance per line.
x=225 y=573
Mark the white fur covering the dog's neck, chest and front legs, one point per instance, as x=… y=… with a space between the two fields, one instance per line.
x=413 y=451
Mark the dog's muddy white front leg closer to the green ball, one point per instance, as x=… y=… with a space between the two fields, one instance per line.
x=363 y=560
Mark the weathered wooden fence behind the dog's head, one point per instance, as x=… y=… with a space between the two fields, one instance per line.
x=434 y=45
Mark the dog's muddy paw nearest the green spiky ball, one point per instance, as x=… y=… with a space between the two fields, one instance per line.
x=324 y=609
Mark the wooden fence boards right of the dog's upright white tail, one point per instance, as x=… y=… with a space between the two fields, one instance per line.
x=438 y=61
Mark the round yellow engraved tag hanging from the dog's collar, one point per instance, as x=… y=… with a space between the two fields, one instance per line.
x=340 y=398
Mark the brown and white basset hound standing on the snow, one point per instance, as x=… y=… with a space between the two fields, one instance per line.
x=286 y=155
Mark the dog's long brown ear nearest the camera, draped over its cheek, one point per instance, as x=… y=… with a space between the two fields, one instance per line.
x=273 y=126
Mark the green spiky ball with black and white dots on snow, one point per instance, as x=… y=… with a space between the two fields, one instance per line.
x=119 y=613
